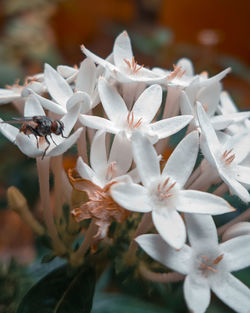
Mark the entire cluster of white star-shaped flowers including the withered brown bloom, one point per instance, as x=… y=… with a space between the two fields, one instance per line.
x=122 y=128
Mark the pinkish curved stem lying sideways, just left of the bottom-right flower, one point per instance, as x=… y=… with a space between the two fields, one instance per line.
x=160 y=277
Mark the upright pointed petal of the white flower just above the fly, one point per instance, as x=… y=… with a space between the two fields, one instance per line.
x=57 y=86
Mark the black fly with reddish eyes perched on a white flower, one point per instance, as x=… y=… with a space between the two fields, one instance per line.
x=40 y=127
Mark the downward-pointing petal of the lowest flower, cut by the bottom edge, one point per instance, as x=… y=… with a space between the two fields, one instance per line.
x=197 y=293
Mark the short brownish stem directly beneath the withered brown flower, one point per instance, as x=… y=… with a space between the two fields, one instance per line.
x=77 y=257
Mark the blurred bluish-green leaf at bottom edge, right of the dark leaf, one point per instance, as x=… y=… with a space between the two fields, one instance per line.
x=113 y=303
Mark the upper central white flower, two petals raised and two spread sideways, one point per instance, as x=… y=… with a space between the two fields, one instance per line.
x=139 y=118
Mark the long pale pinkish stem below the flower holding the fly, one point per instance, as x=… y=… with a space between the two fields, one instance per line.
x=43 y=175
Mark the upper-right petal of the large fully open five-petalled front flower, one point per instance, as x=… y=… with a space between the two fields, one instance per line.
x=185 y=153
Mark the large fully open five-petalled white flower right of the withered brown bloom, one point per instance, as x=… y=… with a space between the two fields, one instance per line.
x=163 y=194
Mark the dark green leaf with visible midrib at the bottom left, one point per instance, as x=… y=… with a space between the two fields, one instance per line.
x=64 y=290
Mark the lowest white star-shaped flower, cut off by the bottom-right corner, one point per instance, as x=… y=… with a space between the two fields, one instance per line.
x=206 y=264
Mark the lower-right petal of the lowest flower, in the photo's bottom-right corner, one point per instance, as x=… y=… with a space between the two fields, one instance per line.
x=233 y=293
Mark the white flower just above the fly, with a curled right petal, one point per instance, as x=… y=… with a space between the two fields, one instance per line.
x=62 y=94
